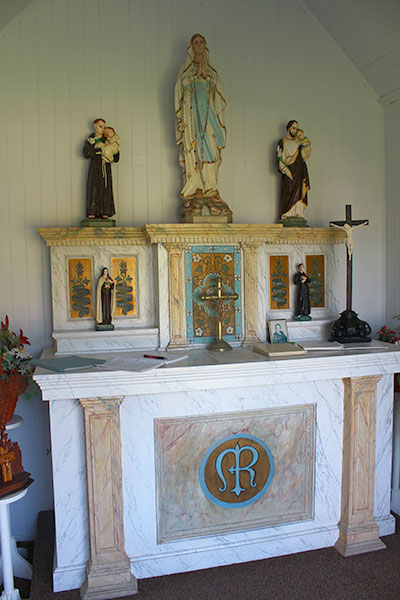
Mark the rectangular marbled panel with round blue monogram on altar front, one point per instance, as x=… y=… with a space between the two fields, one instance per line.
x=234 y=472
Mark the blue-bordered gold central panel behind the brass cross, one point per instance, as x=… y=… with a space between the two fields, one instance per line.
x=203 y=266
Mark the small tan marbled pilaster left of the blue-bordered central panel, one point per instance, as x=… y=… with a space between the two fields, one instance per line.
x=177 y=308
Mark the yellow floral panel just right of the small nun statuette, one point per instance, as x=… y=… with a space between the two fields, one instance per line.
x=124 y=275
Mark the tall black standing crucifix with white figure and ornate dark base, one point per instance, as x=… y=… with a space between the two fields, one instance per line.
x=349 y=328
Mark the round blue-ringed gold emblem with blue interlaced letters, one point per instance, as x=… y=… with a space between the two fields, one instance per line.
x=236 y=471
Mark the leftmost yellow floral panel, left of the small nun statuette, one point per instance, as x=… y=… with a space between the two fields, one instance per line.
x=80 y=288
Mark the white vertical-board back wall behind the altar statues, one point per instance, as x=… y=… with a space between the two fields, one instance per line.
x=65 y=62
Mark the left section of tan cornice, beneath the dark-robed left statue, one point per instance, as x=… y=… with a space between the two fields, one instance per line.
x=94 y=236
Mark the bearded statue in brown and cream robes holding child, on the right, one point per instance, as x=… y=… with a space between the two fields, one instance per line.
x=292 y=152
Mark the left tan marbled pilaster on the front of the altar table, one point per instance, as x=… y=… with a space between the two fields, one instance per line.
x=108 y=573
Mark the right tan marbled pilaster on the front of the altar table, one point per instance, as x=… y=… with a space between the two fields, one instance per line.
x=358 y=530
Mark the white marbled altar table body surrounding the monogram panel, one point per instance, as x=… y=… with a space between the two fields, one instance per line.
x=206 y=384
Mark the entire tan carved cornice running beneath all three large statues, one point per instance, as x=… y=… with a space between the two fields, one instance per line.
x=190 y=233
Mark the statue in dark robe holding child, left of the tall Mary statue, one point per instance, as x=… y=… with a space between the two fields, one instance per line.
x=102 y=148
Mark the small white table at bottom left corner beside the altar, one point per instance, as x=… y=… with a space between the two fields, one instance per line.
x=10 y=592
